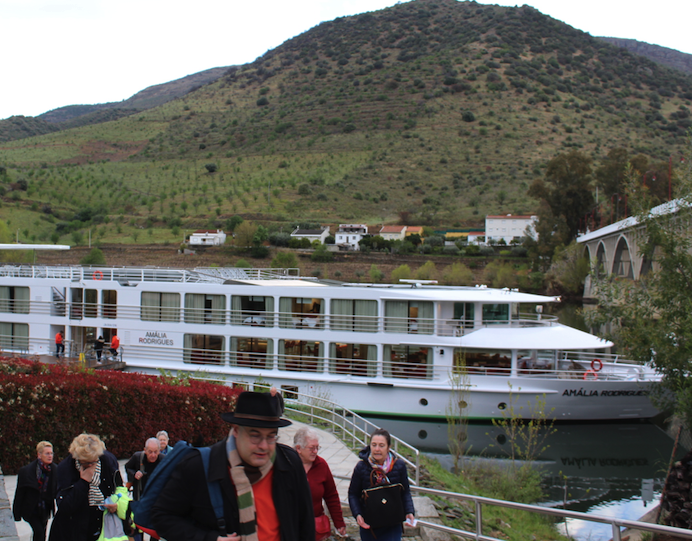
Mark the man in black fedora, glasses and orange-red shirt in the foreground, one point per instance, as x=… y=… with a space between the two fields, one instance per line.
x=266 y=496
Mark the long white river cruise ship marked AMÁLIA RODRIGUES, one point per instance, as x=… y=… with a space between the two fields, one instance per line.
x=409 y=350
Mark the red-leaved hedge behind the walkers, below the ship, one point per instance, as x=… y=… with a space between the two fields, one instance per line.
x=56 y=403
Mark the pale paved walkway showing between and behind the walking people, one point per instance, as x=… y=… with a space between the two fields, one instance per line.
x=339 y=457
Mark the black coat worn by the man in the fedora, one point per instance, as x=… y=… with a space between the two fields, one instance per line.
x=183 y=510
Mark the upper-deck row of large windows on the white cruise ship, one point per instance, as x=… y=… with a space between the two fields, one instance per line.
x=294 y=312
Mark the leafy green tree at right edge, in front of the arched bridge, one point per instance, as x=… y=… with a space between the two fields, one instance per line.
x=653 y=313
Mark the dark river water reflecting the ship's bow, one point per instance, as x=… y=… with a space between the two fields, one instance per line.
x=607 y=469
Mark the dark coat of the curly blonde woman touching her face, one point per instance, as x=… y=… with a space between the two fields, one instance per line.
x=75 y=520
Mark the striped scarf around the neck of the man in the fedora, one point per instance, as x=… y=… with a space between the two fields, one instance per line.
x=243 y=477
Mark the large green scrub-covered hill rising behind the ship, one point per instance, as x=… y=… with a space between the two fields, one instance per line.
x=436 y=111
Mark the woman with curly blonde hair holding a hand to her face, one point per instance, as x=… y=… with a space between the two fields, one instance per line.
x=85 y=479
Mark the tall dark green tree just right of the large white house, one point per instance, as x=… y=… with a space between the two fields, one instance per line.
x=567 y=189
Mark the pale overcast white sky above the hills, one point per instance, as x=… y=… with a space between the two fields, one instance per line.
x=63 y=52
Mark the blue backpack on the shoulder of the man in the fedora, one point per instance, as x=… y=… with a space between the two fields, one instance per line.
x=158 y=479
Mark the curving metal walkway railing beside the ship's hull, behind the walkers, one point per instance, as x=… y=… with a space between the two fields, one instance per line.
x=347 y=425
